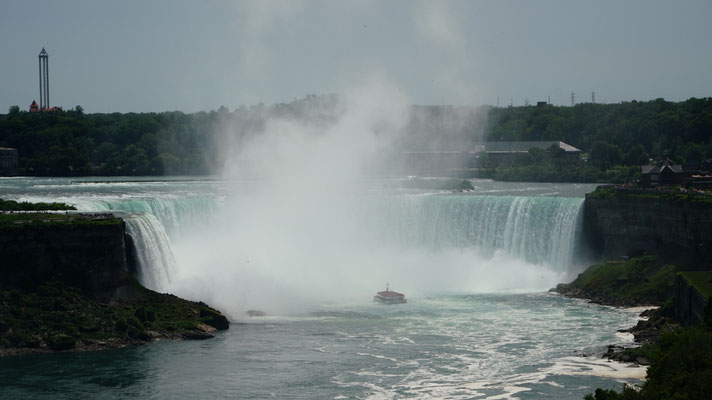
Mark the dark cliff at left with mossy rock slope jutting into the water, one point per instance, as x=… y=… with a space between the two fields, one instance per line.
x=65 y=285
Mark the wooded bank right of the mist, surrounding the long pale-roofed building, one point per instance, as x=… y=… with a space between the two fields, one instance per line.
x=617 y=138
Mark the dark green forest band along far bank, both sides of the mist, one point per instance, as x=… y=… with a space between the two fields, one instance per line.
x=615 y=138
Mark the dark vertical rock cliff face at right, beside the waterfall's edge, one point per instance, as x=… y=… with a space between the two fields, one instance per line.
x=632 y=222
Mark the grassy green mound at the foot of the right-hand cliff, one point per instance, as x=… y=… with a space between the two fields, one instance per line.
x=640 y=280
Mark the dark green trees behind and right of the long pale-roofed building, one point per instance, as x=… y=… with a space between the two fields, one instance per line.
x=614 y=134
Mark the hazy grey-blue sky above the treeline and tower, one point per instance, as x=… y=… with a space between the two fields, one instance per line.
x=164 y=55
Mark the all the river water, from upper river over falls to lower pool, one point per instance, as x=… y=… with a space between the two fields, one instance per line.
x=474 y=266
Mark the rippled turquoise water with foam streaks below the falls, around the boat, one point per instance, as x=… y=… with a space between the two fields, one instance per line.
x=457 y=347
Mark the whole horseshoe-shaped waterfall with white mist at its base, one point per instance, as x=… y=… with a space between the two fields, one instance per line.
x=231 y=239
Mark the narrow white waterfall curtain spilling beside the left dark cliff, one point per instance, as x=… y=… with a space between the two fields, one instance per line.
x=154 y=255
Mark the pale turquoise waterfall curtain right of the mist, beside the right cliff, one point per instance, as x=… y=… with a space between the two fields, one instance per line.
x=539 y=230
